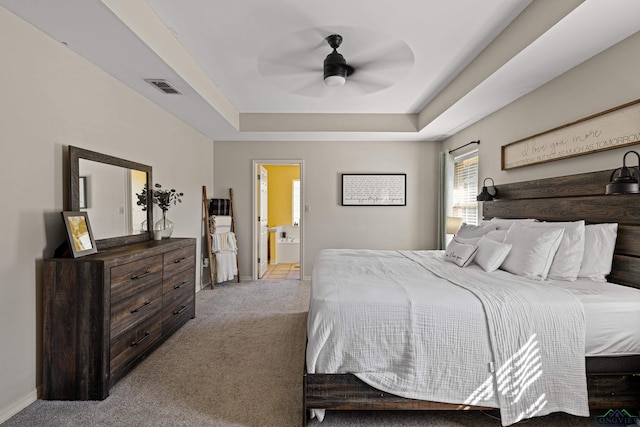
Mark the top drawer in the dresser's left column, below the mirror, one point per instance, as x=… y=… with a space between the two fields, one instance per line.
x=128 y=279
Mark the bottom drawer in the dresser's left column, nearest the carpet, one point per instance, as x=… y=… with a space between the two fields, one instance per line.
x=133 y=344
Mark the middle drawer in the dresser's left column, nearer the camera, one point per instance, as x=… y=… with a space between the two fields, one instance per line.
x=134 y=310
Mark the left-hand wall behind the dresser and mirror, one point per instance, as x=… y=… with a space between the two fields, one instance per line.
x=52 y=98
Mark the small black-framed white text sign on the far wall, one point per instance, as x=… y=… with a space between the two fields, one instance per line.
x=387 y=189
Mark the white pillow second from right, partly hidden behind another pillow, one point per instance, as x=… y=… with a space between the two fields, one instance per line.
x=566 y=263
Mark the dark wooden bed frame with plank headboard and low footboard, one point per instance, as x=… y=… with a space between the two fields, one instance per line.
x=613 y=382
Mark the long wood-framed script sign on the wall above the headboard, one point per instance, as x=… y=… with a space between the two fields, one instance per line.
x=613 y=128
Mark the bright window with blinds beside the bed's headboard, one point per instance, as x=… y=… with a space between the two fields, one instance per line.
x=465 y=188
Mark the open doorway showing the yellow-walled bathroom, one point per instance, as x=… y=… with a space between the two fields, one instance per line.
x=278 y=243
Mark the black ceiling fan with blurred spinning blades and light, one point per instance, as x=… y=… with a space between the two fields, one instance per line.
x=376 y=62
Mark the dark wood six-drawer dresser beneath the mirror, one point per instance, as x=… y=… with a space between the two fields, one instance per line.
x=104 y=313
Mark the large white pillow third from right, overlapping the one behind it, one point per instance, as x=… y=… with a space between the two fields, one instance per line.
x=532 y=250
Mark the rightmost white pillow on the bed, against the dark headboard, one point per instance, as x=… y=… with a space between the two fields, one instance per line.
x=600 y=242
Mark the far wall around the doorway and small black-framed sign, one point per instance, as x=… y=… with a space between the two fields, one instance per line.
x=328 y=224
